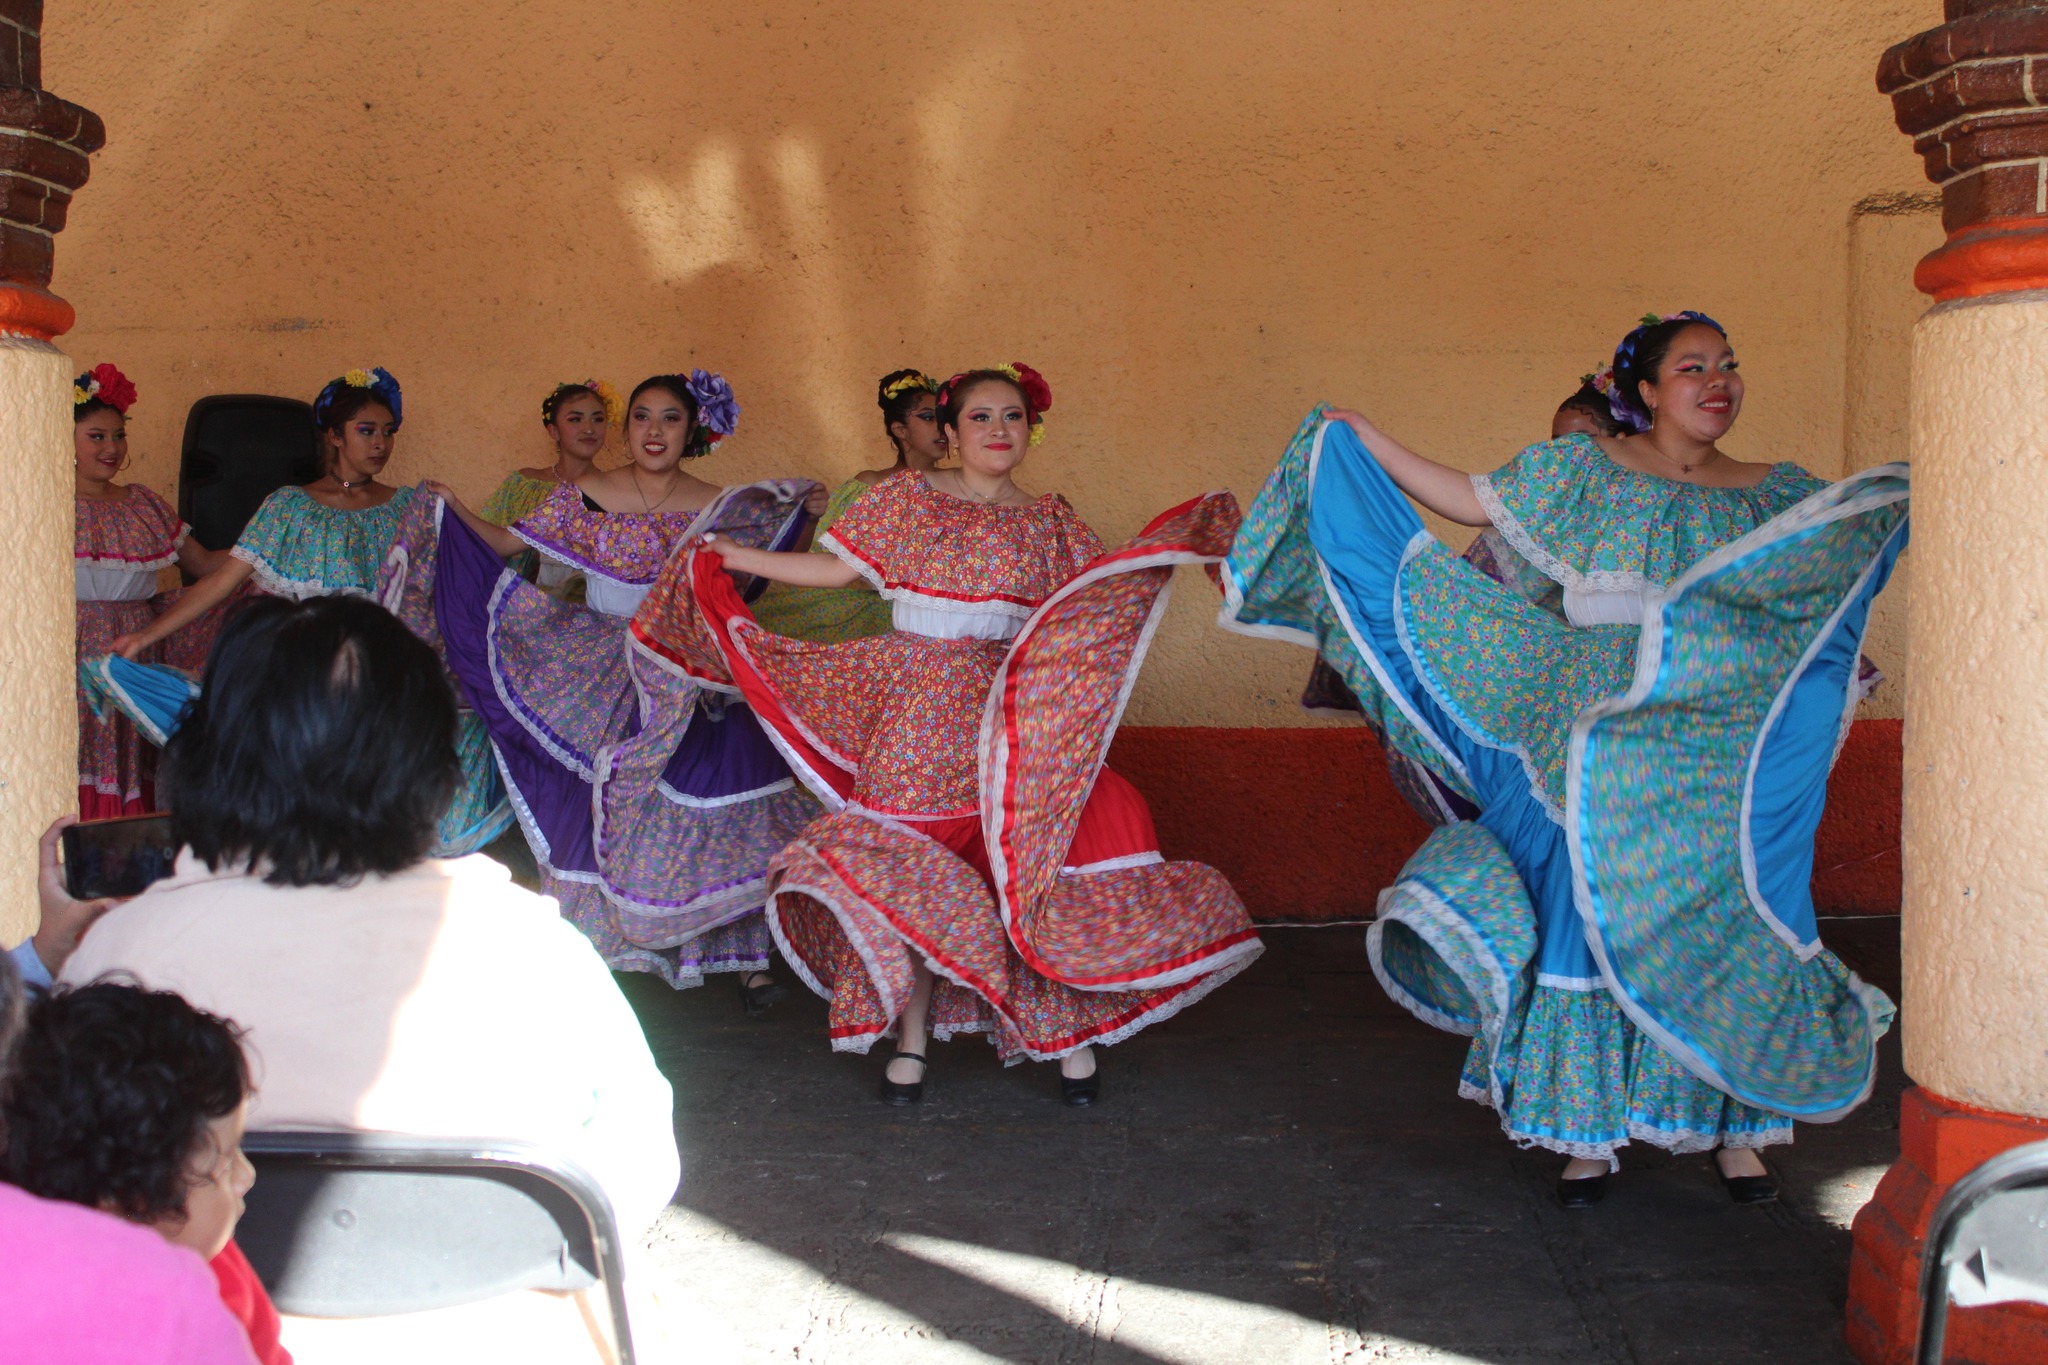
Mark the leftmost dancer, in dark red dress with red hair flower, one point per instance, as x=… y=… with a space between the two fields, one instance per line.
x=124 y=537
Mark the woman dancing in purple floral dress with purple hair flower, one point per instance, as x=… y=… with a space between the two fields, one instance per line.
x=658 y=856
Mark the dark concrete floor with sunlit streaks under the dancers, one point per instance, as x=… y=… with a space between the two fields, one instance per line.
x=1279 y=1176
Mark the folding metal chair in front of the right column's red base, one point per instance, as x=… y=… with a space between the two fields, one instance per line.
x=1988 y=1243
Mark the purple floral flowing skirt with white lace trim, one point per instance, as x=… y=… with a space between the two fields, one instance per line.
x=654 y=809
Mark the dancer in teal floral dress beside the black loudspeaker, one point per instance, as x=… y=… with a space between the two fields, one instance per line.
x=331 y=537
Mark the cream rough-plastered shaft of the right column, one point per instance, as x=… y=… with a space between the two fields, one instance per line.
x=1975 y=803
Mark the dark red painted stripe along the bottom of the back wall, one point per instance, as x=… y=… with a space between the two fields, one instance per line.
x=1310 y=828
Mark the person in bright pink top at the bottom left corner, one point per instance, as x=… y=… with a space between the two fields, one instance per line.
x=87 y=1288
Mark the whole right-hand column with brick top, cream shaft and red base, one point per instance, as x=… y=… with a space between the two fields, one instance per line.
x=1973 y=95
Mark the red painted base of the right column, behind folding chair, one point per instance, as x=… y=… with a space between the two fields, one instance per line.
x=1938 y=1145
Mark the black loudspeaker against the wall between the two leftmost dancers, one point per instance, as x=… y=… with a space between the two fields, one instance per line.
x=241 y=449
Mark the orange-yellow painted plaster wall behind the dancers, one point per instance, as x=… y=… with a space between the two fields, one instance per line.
x=1195 y=218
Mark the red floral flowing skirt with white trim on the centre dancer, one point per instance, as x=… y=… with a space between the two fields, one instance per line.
x=972 y=824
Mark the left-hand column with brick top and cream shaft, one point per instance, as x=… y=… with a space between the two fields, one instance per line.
x=44 y=146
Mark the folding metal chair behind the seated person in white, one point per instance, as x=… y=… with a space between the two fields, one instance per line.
x=351 y=1225
